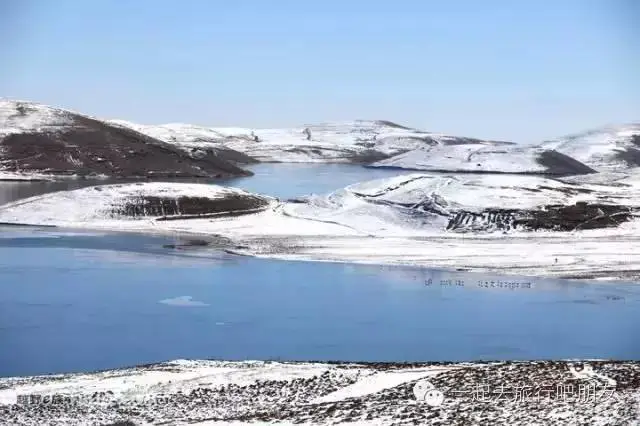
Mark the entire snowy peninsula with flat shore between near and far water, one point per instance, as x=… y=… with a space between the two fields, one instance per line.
x=520 y=224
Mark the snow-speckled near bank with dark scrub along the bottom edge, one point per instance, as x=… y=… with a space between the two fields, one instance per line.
x=254 y=392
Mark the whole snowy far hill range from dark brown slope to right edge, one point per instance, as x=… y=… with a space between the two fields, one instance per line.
x=386 y=144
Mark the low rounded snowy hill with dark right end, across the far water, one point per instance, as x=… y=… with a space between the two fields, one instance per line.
x=478 y=158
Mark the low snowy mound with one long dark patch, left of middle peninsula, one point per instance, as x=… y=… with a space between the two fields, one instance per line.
x=114 y=205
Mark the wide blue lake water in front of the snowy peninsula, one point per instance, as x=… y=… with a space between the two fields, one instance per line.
x=118 y=307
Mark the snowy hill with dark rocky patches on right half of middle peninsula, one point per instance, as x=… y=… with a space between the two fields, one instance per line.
x=413 y=204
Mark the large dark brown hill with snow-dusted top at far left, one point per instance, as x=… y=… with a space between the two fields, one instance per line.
x=38 y=139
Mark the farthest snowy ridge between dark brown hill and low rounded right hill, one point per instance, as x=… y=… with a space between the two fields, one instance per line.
x=359 y=141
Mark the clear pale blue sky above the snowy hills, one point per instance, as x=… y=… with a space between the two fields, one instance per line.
x=512 y=70
